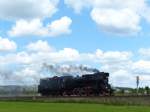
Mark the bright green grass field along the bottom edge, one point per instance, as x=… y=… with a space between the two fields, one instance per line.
x=67 y=107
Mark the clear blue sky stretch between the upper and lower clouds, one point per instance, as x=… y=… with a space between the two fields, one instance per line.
x=84 y=30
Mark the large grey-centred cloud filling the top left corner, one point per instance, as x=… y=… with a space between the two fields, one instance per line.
x=27 y=9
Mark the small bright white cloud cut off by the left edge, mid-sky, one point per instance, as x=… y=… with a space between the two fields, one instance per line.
x=7 y=45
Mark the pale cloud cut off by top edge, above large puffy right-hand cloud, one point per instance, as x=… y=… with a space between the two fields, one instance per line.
x=78 y=5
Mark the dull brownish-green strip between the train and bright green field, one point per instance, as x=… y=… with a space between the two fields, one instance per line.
x=110 y=100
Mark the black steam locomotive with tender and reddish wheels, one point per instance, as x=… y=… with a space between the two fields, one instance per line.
x=95 y=84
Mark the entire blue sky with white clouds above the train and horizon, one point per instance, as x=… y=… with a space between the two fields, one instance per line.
x=111 y=35
